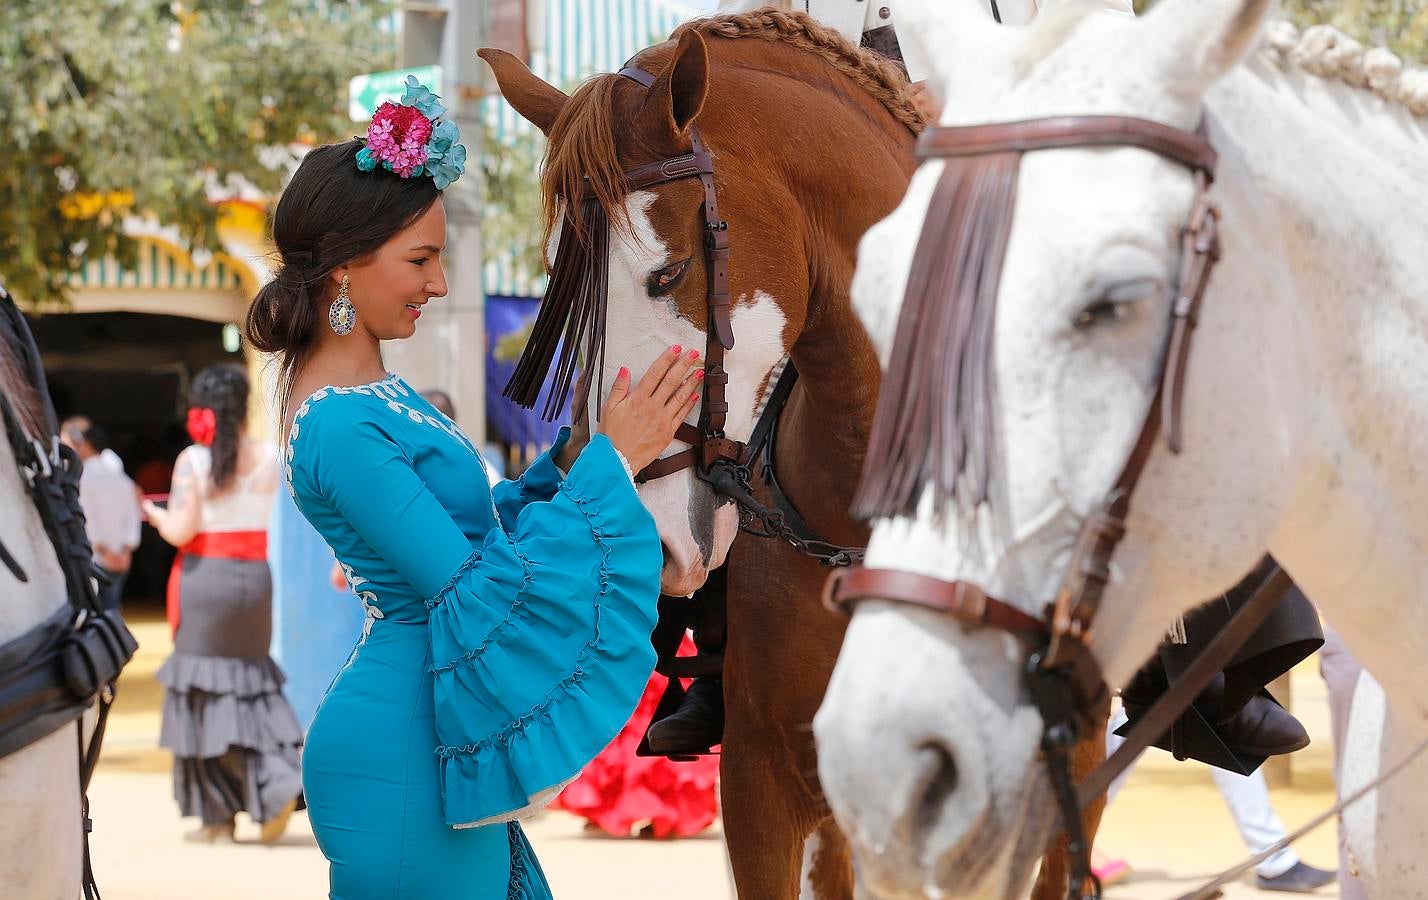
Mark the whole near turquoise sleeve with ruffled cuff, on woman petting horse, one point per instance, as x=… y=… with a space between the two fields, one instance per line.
x=540 y=638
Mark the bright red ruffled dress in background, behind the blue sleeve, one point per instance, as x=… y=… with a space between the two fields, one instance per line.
x=619 y=791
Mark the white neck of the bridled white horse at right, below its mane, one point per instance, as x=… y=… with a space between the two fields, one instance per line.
x=1337 y=215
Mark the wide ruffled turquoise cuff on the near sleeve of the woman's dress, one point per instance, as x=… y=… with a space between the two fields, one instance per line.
x=558 y=679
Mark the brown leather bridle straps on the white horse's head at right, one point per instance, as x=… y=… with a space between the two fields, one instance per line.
x=1063 y=676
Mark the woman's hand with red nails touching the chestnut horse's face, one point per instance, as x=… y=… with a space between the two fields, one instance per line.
x=640 y=421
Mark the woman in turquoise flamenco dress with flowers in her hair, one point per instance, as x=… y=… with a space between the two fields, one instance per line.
x=508 y=635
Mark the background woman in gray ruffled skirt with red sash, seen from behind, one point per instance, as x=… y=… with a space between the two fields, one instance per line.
x=235 y=739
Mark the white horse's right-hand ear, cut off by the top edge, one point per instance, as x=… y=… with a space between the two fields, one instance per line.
x=1205 y=39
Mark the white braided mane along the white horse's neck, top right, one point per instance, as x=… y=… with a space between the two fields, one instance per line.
x=1329 y=54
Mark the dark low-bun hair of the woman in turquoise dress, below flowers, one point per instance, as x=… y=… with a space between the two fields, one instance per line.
x=331 y=214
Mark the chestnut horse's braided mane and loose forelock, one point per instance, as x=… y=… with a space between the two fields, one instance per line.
x=582 y=151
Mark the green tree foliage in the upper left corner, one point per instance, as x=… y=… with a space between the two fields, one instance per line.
x=116 y=108
